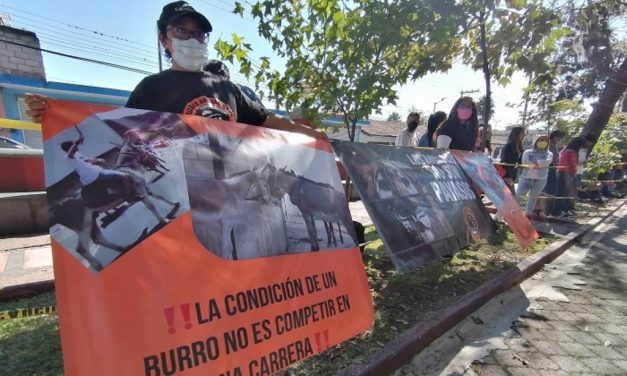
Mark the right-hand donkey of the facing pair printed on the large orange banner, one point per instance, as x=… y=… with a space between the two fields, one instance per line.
x=314 y=201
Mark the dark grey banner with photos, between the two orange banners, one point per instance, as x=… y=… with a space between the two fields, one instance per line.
x=420 y=200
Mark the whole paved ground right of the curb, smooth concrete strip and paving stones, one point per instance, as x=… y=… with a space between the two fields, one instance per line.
x=568 y=319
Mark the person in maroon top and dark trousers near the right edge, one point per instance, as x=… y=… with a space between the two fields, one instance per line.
x=566 y=176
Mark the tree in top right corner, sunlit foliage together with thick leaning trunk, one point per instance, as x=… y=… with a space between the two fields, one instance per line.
x=589 y=63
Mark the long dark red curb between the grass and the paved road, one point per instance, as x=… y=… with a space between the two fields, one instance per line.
x=404 y=347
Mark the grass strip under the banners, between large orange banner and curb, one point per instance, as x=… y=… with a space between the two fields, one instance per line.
x=403 y=299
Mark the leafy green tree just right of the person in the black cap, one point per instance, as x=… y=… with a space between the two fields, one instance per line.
x=345 y=58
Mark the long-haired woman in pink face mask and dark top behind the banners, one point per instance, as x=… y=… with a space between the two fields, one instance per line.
x=460 y=130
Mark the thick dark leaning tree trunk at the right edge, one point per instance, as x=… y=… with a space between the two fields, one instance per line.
x=614 y=88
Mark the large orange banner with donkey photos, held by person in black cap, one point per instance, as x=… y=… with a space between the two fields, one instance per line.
x=191 y=245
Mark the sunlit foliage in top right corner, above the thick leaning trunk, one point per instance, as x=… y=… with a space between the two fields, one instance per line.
x=584 y=52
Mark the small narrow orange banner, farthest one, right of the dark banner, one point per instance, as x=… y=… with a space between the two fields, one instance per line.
x=482 y=172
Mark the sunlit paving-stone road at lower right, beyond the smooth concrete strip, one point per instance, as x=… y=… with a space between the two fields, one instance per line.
x=586 y=335
